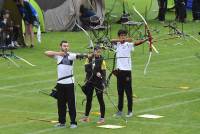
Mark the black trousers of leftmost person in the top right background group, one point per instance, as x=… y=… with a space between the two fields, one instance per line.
x=162 y=9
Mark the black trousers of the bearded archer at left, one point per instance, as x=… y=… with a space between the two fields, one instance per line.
x=66 y=96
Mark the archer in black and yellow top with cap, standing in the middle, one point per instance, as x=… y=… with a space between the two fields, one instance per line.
x=95 y=68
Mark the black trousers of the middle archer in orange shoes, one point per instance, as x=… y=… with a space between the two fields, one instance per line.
x=89 y=87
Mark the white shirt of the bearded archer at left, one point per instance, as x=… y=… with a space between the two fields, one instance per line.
x=66 y=68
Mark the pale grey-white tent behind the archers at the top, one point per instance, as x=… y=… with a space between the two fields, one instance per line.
x=61 y=15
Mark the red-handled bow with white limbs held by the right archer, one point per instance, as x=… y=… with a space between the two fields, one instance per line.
x=149 y=39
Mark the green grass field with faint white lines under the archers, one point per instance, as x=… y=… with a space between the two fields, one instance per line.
x=171 y=87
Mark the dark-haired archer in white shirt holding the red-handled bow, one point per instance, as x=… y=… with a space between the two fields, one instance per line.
x=124 y=47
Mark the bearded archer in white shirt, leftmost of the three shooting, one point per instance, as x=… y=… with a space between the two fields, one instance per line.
x=65 y=83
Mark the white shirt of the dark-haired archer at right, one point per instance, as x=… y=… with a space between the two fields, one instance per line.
x=123 y=56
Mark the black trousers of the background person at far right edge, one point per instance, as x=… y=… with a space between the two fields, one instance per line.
x=196 y=9
